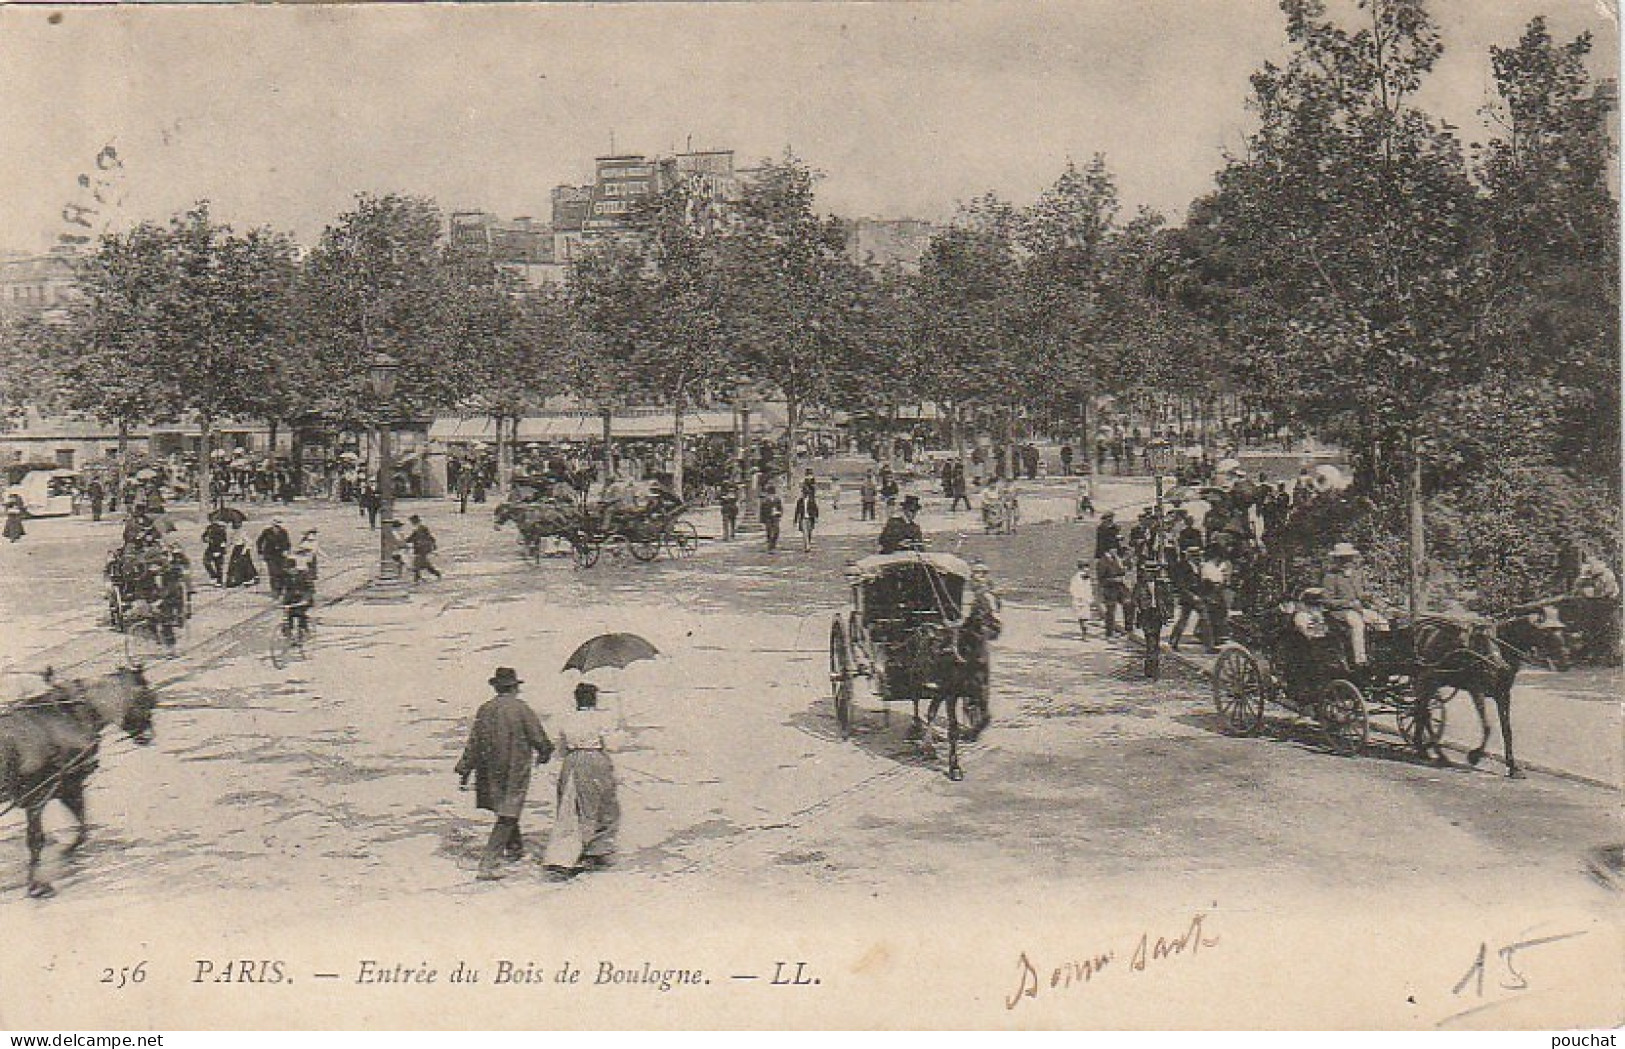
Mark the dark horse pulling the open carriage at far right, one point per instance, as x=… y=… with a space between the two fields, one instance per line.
x=1481 y=658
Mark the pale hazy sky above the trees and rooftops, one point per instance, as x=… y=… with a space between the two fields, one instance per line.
x=282 y=114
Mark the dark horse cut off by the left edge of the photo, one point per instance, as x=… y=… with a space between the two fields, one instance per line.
x=50 y=746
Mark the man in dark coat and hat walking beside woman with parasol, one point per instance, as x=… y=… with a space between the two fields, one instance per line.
x=498 y=758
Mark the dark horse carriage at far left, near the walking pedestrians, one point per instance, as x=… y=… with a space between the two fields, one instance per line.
x=150 y=598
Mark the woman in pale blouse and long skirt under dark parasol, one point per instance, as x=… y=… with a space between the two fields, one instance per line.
x=589 y=814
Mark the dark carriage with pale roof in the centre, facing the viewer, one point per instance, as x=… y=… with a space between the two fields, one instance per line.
x=914 y=634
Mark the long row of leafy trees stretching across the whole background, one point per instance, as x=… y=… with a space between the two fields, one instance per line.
x=1449 y=313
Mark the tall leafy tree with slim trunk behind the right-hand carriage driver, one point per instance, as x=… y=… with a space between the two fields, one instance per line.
x=1354 y=222
